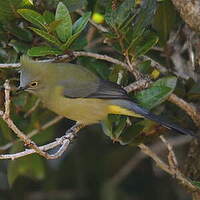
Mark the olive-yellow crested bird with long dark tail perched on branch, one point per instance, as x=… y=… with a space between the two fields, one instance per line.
x=78 y=94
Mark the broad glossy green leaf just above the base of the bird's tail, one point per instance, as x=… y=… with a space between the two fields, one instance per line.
x=157 y=93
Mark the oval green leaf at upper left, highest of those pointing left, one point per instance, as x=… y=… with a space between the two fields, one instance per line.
x=33 y=17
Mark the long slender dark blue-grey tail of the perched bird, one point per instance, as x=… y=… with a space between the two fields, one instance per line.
x=131 y=106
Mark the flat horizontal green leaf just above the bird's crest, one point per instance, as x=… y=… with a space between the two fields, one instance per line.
x=43 y=51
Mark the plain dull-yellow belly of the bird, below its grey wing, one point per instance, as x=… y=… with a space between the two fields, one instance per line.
x=86 y=111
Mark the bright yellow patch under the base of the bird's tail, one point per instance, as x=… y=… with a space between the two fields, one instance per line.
x=113 y=109
